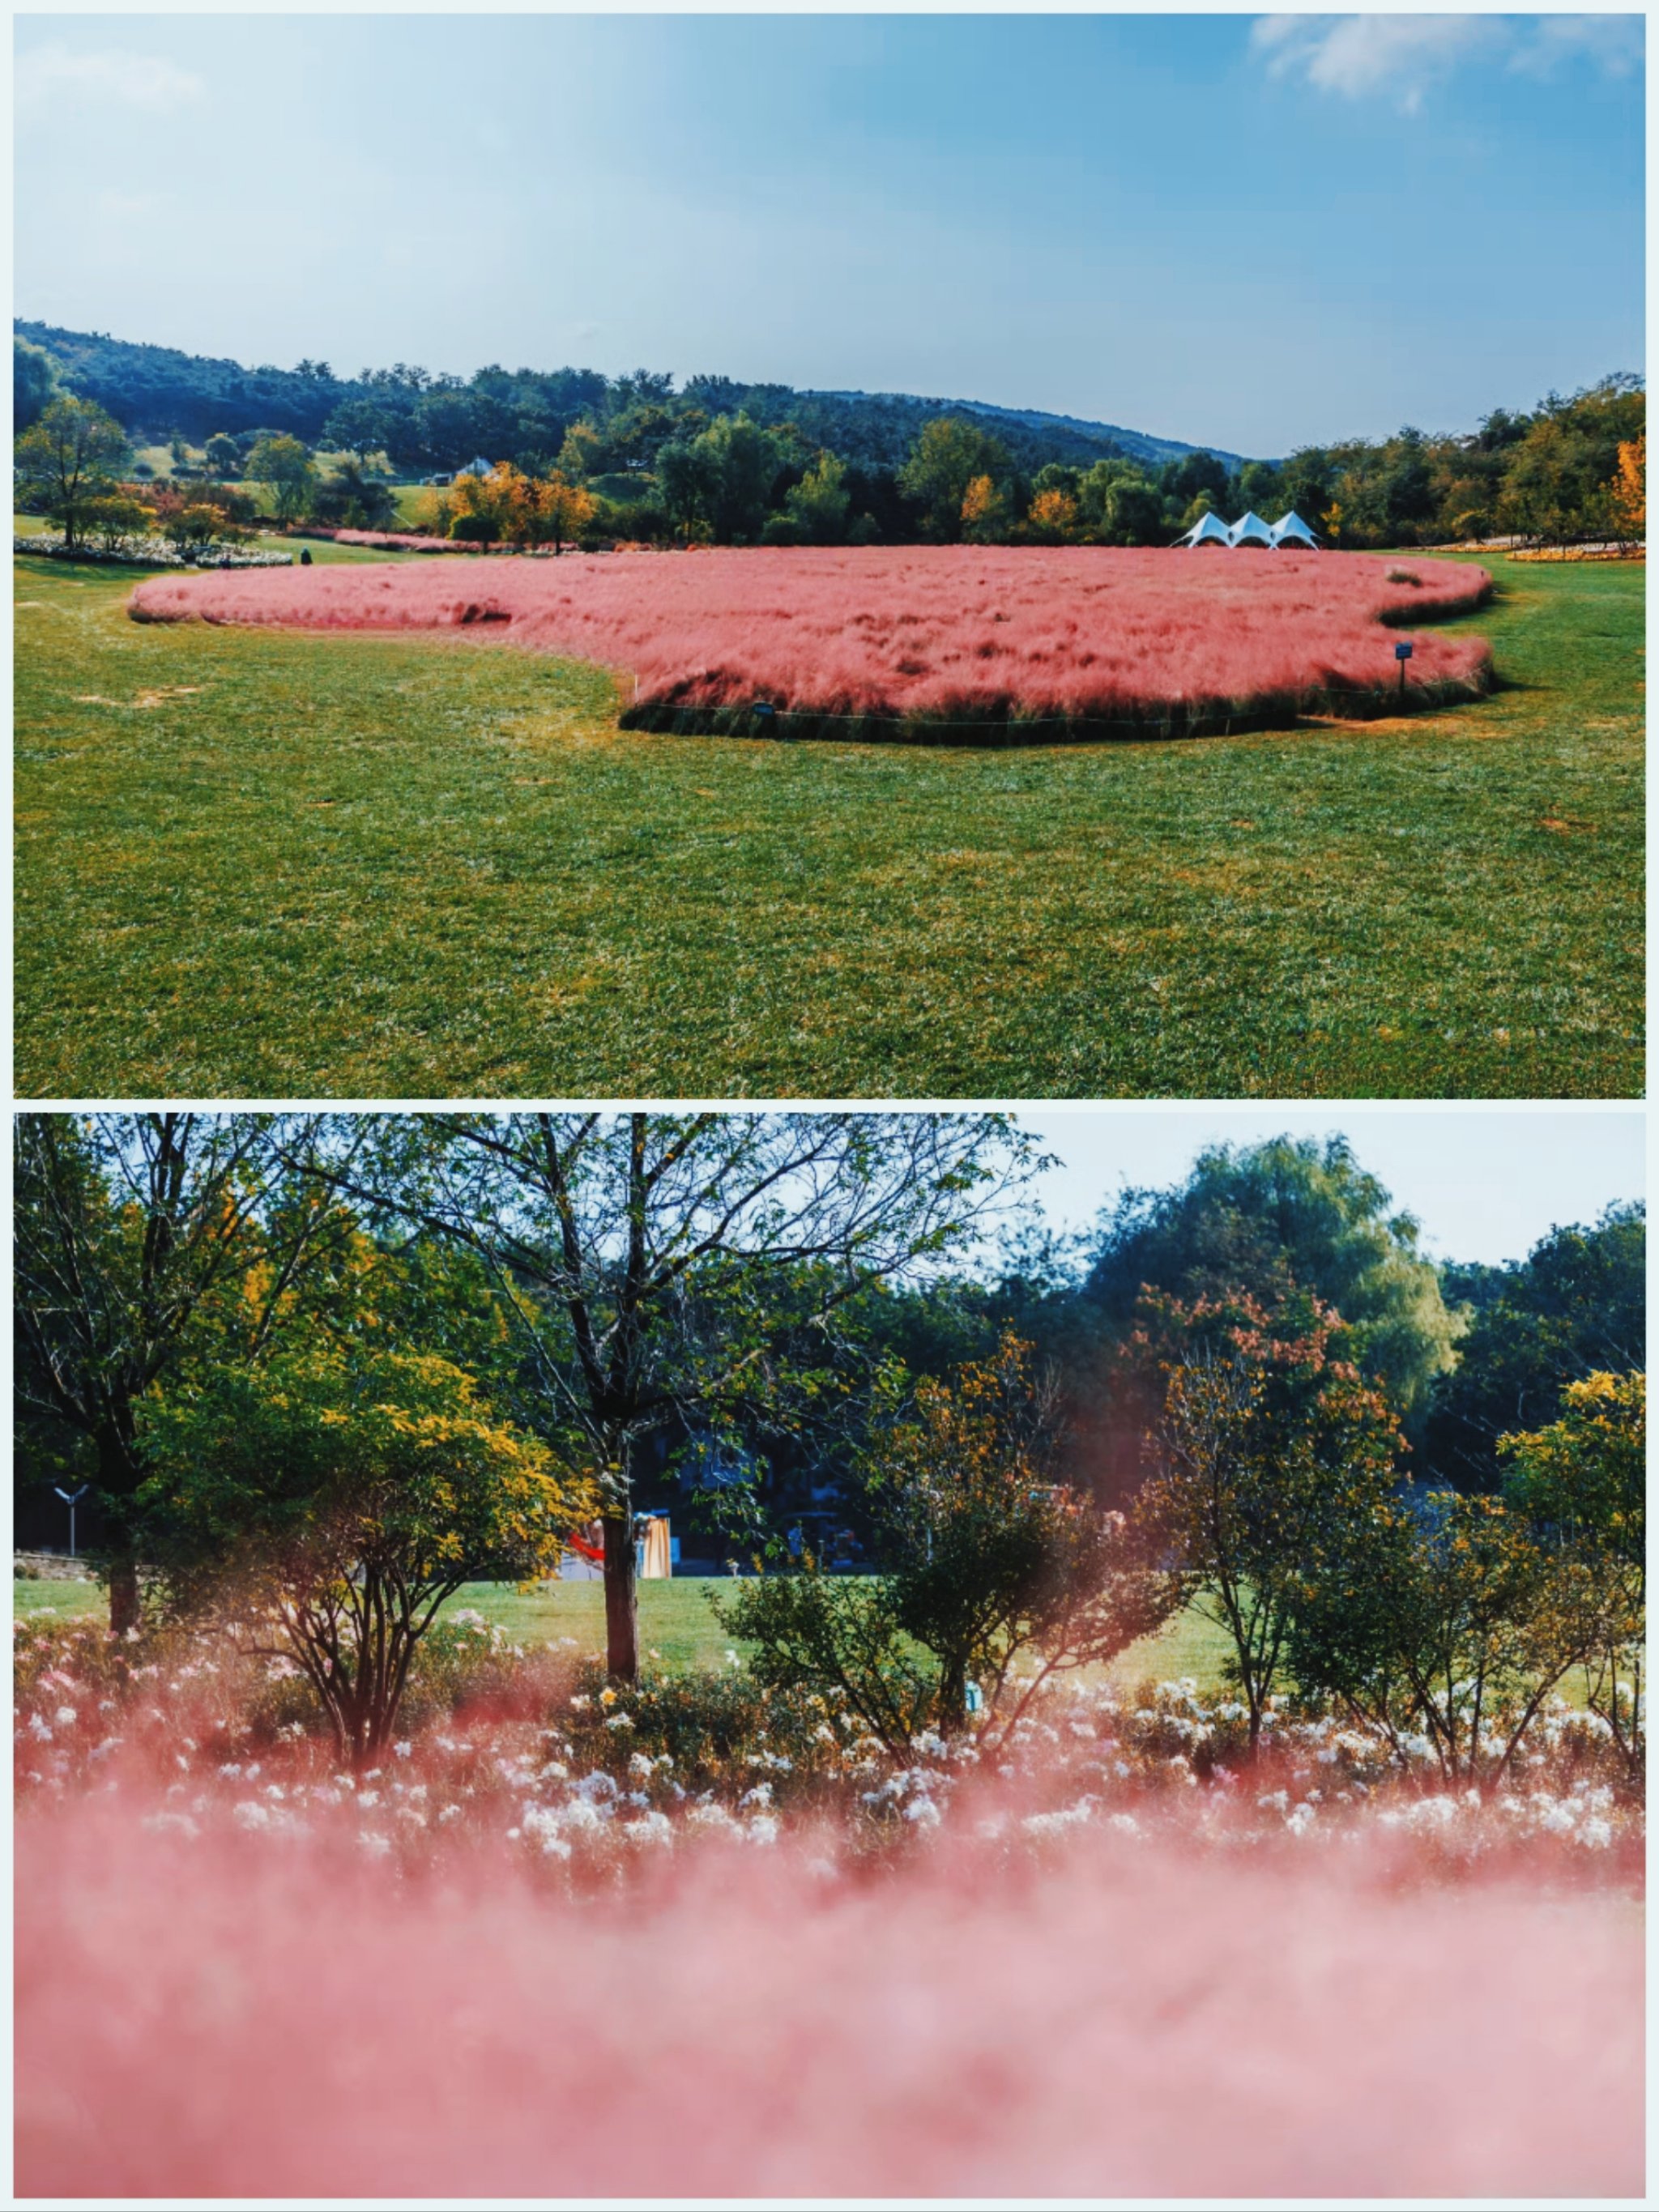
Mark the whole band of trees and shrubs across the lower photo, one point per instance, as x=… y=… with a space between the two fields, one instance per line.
x=322 y=1370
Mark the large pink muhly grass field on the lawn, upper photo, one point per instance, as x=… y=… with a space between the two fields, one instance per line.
x=912 y=640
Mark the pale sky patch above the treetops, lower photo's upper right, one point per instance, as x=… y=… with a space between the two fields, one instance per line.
x=1485 y=1182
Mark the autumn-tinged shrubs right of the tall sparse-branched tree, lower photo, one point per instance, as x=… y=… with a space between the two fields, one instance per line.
x=1273 y=1507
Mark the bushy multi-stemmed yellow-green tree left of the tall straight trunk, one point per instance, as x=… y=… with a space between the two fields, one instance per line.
x=337 y=1496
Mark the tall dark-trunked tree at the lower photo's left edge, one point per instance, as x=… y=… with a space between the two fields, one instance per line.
x=138 y=1240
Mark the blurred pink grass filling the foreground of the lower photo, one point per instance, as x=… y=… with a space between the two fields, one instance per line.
x=255 y=2016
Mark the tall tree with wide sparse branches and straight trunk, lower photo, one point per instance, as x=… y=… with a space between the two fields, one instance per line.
x=682 y=1269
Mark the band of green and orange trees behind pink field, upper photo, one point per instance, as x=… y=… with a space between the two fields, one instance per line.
x=760 y=463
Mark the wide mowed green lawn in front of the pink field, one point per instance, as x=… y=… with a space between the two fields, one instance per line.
x=258 y=864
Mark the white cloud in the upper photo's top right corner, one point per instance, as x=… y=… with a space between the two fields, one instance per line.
x=1401 y=56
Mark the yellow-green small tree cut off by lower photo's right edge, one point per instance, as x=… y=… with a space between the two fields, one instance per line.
x=1585 y=1483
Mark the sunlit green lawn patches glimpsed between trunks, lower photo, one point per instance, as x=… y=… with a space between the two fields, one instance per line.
x=678 y=1627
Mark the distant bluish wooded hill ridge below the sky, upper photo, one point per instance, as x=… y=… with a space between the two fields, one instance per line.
x=165 y=390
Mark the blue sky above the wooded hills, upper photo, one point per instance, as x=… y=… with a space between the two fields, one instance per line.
x=1224 y=229
